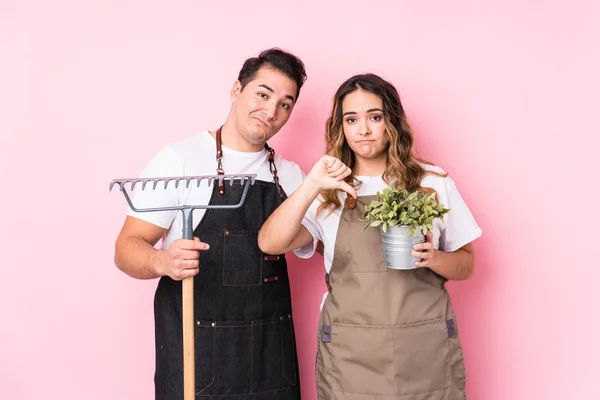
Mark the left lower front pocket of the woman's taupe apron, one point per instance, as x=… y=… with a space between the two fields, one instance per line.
x=363 y=359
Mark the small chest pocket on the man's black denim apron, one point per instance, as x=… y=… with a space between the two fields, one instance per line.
x=242 y=259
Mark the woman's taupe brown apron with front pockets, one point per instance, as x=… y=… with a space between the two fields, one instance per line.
x=384 y=333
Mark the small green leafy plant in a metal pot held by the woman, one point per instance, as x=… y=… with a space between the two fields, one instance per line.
x=404 y=219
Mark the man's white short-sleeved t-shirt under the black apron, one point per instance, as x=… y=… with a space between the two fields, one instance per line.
x=193 y=156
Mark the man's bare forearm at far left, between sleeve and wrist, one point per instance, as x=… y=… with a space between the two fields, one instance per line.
x=136 y=257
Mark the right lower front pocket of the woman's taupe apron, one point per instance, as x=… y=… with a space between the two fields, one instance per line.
x=422 y=359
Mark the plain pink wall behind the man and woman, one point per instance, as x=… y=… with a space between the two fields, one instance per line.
x=504 y=95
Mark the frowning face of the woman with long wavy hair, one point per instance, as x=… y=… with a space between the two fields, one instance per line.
x=364 y=126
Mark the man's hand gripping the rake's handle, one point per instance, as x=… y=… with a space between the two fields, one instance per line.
x=181 y=260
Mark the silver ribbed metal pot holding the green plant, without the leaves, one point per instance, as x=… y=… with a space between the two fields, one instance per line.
x=398 y=247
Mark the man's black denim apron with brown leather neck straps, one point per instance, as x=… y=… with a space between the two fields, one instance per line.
x=245 y=345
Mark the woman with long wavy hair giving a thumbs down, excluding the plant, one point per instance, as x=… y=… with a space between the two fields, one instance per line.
x=382 y=332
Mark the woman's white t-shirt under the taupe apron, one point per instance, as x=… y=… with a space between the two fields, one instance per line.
x=457 y=229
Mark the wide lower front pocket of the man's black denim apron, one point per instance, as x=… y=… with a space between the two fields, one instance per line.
x=248 y=357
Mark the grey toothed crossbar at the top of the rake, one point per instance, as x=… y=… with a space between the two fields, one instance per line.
x=242 y=178
